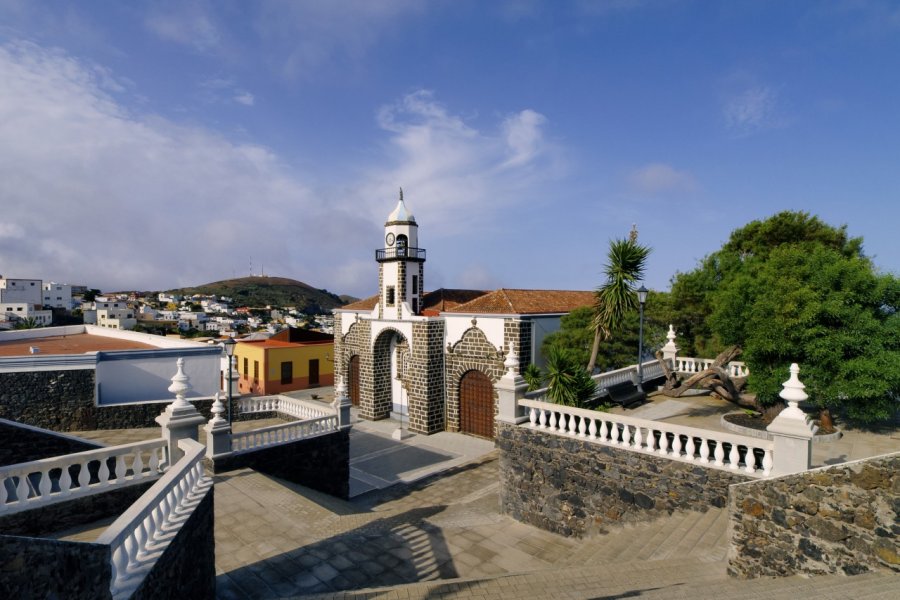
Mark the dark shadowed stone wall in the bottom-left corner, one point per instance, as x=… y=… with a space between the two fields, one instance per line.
x=41 y=568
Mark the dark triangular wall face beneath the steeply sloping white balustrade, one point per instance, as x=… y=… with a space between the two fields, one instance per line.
x=187 y=569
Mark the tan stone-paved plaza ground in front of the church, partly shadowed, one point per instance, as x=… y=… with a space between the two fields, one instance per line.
x=423 y=521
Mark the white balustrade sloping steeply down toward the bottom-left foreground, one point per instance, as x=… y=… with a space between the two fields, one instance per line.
x=140 y=535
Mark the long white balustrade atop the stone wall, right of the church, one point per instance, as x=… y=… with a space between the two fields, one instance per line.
x=676 y=442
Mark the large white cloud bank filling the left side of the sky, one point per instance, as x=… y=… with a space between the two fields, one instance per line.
x=121 y=200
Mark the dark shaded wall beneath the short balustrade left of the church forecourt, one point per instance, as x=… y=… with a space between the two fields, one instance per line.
x=321 y=463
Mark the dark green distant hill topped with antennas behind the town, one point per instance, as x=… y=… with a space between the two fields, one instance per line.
x=261 y=291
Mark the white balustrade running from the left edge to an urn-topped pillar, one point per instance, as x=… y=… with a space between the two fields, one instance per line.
x=46 y=481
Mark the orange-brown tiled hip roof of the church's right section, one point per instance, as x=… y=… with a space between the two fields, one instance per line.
x=526 y=302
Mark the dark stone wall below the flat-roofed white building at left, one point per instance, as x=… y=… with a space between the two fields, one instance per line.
x=64 y=401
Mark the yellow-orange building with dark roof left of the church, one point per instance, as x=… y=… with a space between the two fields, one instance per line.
x=293 y=359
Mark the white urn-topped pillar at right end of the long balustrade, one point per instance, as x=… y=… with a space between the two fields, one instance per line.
x=792 y=431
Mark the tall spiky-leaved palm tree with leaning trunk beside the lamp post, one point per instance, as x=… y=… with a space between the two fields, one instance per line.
x=614 y=299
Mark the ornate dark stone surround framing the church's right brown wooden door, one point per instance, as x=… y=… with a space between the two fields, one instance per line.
x=473 y=352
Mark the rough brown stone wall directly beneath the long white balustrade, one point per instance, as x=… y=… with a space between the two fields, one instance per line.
x=576 y=488
